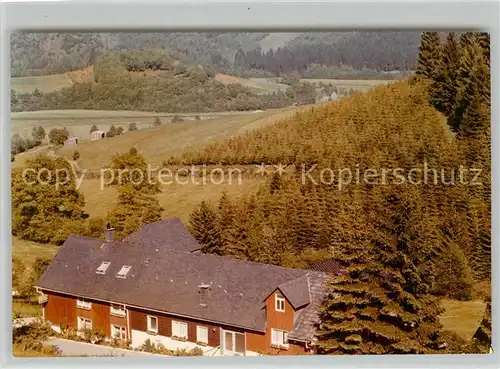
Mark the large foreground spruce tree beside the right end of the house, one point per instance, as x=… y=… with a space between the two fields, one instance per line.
x=382 y=304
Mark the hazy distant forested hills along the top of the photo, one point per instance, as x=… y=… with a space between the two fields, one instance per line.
x=315 y=55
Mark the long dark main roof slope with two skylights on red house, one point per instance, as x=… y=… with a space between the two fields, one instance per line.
x=167 y=280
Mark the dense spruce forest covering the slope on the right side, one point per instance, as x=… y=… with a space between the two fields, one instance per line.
x=404 y=246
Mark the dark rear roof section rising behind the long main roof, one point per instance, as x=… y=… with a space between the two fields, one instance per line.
x=169 y=232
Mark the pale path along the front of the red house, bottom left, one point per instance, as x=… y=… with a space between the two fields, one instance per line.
x=73 y=348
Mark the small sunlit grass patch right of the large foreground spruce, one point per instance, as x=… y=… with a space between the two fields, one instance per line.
x=462 y=317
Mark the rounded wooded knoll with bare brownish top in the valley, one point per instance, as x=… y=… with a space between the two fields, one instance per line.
x=154 y=80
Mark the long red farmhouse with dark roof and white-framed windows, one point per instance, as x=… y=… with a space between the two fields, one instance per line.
x=156 y=284
